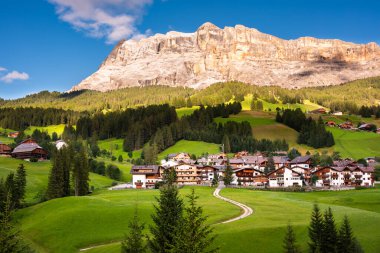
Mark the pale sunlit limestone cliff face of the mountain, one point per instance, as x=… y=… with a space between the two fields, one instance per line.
x=212 y=54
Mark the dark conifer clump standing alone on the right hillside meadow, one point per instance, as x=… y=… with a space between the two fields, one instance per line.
x=311 y=132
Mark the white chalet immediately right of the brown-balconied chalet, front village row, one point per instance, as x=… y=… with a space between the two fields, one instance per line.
x=284 y=177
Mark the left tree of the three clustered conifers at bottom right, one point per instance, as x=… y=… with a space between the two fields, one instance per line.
x=315 y=230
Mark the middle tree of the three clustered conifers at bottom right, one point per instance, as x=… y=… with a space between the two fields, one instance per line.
x=329 y=235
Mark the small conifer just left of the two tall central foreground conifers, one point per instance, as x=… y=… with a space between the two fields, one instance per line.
x=134 y=241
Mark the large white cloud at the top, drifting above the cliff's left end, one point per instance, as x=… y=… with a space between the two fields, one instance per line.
x=112 y=19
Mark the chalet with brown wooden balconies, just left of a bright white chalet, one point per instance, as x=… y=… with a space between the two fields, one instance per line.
x=249 y=176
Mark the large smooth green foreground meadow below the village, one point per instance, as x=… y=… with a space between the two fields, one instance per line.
x=72 y=223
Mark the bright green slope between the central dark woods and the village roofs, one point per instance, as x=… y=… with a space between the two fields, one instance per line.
x=191 y=147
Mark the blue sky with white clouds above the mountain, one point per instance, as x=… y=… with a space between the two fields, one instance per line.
x=54 y=44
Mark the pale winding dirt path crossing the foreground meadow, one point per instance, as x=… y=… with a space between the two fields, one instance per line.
x=247 y=211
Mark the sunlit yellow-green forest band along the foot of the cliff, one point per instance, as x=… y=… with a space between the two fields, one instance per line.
x=348 y=97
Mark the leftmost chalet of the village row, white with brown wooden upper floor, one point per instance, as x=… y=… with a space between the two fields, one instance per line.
x=145 y=176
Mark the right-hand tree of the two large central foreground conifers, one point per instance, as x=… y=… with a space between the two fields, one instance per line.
x=192 y=234
